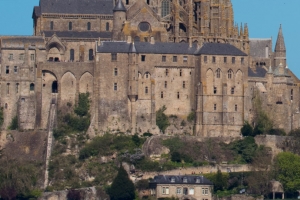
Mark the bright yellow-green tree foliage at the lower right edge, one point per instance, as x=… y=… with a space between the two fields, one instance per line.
x=287 y=170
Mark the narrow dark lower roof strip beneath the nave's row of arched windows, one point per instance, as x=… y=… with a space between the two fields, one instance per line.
x=76 y=34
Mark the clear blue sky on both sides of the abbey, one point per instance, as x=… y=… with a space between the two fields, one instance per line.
x=262 y=16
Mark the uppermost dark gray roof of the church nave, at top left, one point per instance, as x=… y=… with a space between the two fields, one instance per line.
x=104 y=7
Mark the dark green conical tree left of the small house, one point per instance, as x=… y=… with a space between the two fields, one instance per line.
x=122 y=187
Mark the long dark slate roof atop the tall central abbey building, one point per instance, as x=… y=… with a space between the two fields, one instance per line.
x=169 y=48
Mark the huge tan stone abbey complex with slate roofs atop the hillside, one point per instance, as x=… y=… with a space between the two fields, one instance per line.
x=135 y=57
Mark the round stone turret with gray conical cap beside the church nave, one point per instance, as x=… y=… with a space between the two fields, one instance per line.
x=119 y=18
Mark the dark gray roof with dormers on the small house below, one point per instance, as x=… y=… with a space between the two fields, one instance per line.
x=169 y=179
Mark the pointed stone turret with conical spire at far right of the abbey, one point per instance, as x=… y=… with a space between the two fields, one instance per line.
x=280 y=50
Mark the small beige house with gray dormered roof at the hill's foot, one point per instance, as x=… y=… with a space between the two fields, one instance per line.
x=183 y=187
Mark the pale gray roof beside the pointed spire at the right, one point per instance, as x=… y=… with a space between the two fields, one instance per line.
x=258 y=47
